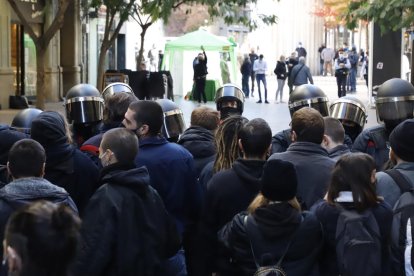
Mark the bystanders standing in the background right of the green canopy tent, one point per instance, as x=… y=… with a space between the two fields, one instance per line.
x=343 y=63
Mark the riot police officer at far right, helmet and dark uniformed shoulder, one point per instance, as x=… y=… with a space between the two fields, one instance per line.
x=394 y=104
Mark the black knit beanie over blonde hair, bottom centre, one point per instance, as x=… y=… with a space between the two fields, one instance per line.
x=279 y=182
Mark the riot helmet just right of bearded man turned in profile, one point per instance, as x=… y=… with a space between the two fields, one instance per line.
x=174 y=124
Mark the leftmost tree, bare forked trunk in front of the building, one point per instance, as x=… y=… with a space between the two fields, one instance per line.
x=41 y=41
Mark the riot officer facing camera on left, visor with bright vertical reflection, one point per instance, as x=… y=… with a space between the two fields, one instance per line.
x=84 y=110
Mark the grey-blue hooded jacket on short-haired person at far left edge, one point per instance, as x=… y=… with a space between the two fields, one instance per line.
x=23 y=191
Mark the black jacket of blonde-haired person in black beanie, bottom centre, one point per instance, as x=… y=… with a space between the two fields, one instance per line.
x=275 y=225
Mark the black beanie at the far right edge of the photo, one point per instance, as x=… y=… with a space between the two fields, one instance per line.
x=402 y=140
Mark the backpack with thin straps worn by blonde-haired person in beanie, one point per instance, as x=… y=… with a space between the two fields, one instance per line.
x=264 y=270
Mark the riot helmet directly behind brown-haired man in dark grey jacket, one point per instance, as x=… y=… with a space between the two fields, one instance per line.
x=308 y=95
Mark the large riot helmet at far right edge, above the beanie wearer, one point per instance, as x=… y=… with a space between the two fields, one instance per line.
x=395 y=102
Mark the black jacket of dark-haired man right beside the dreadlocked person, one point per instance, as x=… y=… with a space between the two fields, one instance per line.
x=228 y=193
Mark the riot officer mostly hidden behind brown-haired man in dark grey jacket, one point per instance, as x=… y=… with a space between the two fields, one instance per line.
x=306 y=95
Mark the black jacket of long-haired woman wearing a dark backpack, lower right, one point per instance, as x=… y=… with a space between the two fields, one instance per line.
x=328 y=215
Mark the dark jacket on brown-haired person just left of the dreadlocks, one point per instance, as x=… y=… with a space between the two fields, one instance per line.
x=200 y=143
